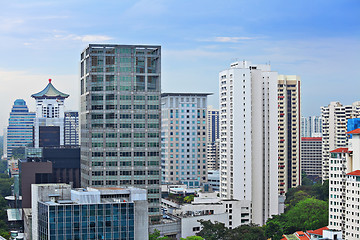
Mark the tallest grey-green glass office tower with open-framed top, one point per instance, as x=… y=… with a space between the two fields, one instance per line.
x=120 y=118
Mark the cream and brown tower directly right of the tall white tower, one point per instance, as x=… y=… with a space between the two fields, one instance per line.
x=289 y=132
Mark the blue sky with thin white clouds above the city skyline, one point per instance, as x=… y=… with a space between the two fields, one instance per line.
x=318 y=40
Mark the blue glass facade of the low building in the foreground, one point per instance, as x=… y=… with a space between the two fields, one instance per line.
x=86 y=221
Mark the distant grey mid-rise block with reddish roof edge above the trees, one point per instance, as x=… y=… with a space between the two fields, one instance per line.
x=311 y=162
